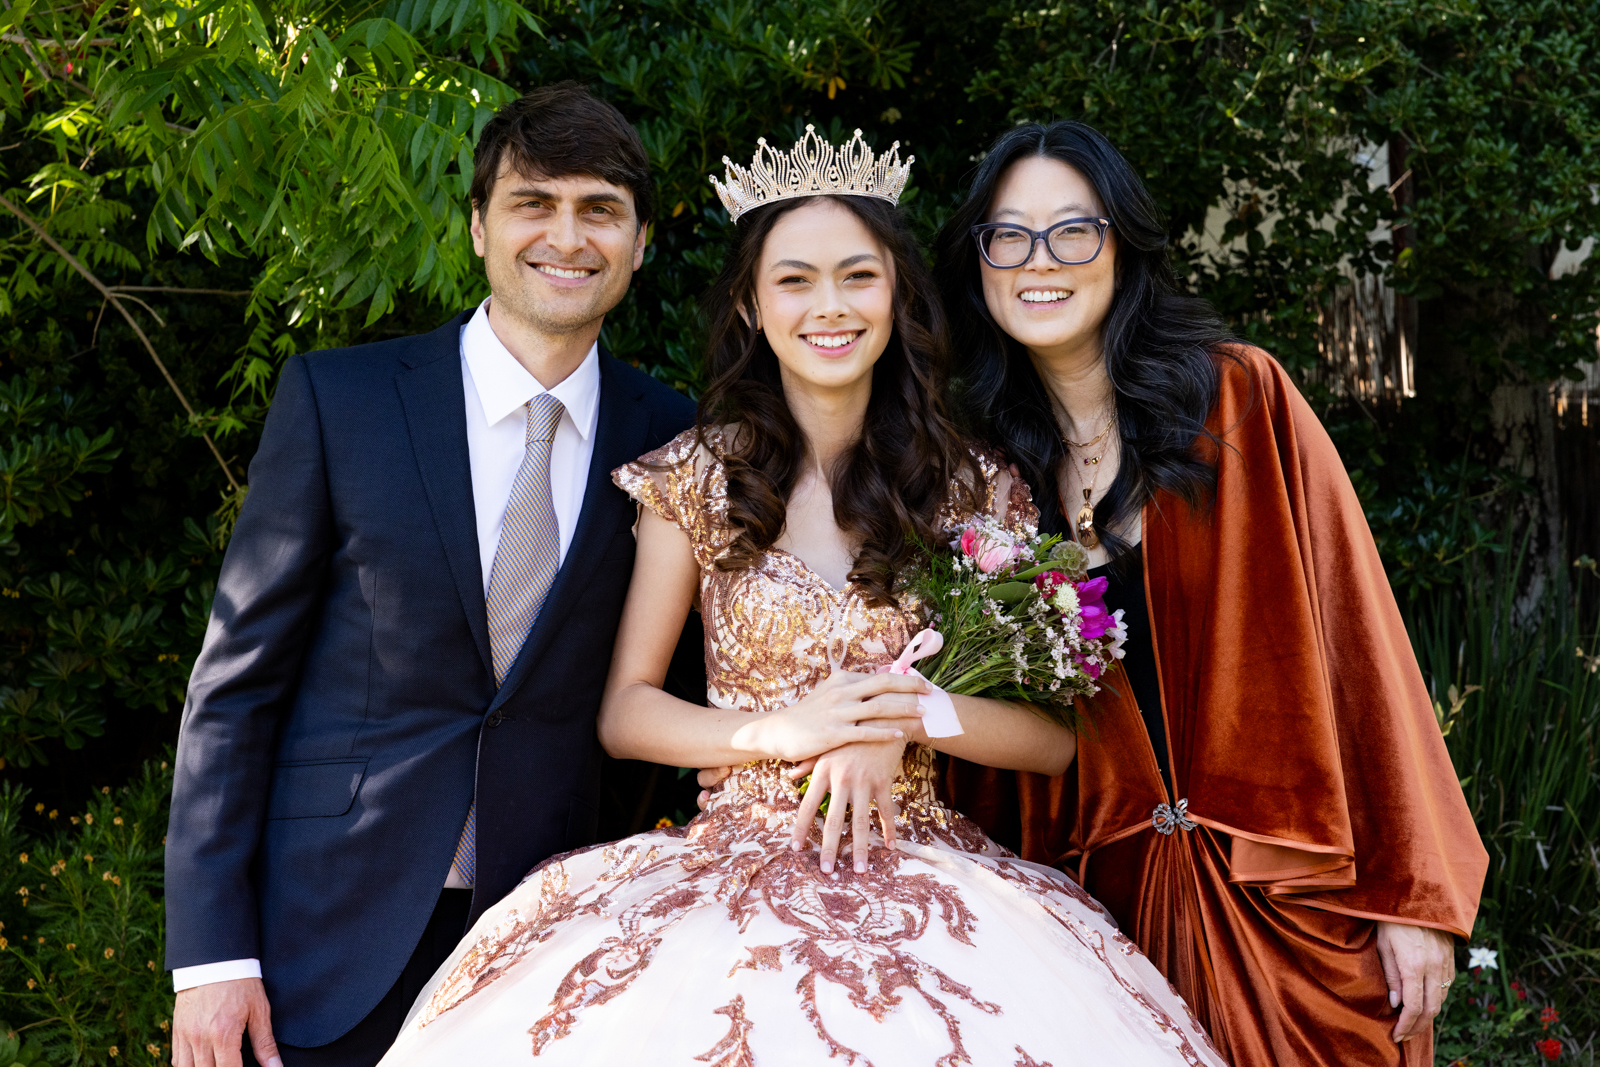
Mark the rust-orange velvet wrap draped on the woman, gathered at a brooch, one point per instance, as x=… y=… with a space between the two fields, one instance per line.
x=1300 y=733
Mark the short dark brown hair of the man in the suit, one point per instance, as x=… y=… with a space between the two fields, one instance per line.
x=562 y=130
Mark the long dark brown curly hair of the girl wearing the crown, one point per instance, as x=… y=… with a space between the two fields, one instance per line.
x=890 y=486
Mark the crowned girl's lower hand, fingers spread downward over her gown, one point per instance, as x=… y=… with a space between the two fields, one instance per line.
x=857 y=777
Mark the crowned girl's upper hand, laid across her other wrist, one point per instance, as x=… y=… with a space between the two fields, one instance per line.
x=838 y=713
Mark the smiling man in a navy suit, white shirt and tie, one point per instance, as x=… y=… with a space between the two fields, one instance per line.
x=394 y=713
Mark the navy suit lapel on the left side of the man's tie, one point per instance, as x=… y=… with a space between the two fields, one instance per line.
x=434 y=401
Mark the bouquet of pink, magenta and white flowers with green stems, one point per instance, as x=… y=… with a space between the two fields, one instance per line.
x=1015 y=618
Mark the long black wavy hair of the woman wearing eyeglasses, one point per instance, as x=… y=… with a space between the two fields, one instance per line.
x=1162 y=348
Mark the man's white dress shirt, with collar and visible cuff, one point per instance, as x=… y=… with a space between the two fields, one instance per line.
x=497 y=388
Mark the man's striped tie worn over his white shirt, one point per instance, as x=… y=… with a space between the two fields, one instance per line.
x=526 y=562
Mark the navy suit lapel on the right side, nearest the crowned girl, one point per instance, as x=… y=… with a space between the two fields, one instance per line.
x=620 y=438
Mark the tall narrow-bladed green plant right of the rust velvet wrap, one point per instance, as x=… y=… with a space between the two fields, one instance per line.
x=1519 y=703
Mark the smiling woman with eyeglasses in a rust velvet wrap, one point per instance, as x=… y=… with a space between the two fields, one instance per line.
x=1262 y=796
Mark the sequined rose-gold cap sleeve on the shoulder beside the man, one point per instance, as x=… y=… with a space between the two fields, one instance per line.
x=686 y=484
